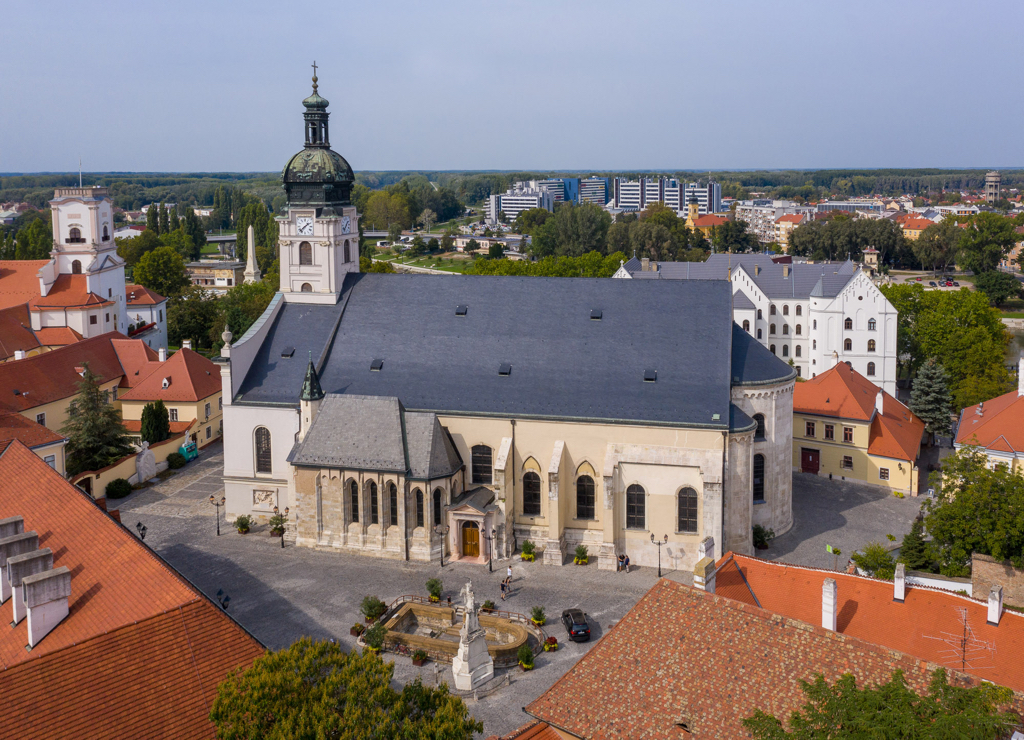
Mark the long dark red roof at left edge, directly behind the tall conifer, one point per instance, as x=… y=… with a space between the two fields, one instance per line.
x=53 y=376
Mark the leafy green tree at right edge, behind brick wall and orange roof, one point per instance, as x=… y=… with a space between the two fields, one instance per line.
x=979 y=510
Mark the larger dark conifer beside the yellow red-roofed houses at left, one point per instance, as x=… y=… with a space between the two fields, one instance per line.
x=97 y=437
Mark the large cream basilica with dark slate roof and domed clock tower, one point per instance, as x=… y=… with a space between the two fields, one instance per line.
x=419 y=417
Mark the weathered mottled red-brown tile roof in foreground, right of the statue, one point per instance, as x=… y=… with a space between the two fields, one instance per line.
x=682 y=656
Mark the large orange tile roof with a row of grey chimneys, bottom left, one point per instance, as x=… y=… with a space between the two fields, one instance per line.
x=141 y=647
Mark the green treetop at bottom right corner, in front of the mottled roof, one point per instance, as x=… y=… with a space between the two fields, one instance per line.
x=891 y=712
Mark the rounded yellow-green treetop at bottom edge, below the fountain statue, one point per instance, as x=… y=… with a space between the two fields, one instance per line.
x=316 y=690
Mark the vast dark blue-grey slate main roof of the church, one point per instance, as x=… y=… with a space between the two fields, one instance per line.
x=565 y=365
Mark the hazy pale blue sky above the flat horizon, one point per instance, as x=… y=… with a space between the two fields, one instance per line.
x=216 y=86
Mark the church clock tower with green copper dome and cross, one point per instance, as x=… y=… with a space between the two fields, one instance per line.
x=320 y=235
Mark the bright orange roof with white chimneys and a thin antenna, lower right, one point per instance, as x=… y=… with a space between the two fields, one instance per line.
x=921 y=627
